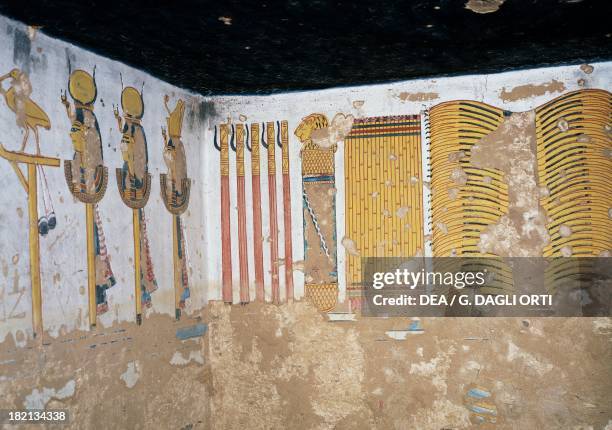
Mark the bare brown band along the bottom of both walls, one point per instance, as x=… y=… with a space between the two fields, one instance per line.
x=288 y=367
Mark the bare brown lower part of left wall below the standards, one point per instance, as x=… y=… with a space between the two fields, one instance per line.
x=120 y=376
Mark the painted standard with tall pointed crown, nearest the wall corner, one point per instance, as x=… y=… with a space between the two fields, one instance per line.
x=175 y=189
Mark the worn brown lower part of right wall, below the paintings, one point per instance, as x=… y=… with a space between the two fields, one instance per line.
x=349 y=375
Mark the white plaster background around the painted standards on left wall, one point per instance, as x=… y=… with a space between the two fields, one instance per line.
x=63 y=250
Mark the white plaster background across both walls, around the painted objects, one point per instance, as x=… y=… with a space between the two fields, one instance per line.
x=63 y=251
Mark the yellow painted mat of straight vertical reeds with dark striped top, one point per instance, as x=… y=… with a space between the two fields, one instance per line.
x=384 y=193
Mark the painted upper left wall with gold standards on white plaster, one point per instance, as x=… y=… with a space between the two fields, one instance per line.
x=73 y=99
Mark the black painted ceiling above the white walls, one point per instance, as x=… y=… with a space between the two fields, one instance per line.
x=274 y=45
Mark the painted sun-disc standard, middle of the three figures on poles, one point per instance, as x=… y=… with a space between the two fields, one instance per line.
x=134 y=182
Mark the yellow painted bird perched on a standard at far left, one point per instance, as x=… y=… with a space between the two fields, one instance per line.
x=29 y=116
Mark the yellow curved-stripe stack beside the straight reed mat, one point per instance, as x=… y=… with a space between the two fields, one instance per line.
x=461 y=212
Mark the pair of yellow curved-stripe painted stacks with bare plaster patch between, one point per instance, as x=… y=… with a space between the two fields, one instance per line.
x=522 y=184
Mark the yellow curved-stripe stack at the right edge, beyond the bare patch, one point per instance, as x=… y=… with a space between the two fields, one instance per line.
x=574 y=144
